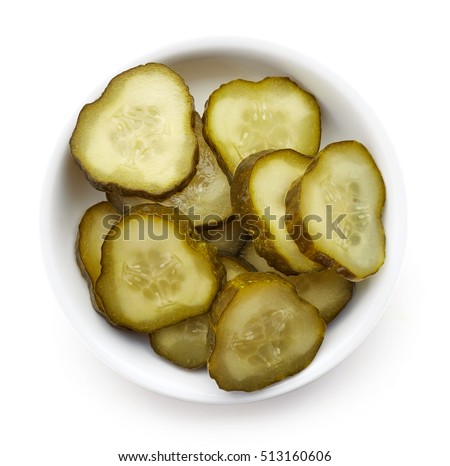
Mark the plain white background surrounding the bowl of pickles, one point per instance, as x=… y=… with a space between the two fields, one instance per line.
x=388 y=402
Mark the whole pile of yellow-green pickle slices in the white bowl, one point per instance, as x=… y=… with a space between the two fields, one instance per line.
x=228 y=238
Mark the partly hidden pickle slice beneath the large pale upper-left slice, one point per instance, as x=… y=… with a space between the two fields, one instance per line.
x=205 y=198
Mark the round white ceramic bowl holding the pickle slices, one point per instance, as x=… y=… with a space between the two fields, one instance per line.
x=205 y=65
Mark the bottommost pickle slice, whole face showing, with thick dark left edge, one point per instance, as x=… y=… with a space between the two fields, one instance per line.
x=261 y=332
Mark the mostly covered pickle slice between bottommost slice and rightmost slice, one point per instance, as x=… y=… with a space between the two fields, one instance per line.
x=326 y=290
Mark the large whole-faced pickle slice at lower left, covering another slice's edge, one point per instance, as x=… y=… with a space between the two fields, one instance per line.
x=155 y=270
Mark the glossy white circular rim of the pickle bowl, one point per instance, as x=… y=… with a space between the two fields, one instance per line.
x=224 y=45
